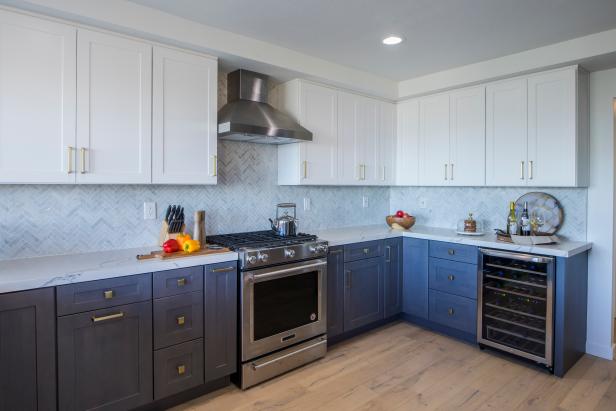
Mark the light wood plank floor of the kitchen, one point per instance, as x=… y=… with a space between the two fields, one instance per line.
x=403 y=367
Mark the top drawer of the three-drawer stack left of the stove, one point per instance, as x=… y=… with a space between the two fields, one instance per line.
x=179 y=281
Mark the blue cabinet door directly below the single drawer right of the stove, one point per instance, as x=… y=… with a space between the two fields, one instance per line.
x=363 y=298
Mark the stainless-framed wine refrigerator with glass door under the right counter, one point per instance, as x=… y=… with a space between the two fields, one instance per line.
x=515 y=310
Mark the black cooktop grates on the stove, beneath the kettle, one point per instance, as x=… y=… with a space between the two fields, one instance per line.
x=258 y=239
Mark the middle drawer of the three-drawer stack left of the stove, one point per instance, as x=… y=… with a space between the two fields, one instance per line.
x=178 y=319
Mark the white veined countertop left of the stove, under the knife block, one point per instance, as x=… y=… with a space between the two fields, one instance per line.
x=40 y=272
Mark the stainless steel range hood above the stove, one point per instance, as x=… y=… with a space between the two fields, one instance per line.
x=248 y=117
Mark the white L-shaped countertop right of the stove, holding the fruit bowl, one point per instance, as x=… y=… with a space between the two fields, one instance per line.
x=348 y=235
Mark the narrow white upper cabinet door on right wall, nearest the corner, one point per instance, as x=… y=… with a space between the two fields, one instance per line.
x=407 y=145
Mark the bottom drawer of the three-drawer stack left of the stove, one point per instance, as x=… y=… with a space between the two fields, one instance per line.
x=178 y=368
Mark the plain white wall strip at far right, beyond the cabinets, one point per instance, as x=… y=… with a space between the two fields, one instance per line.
x=601 y=214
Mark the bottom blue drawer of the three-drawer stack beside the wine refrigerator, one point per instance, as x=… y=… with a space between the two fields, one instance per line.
x=453 y=311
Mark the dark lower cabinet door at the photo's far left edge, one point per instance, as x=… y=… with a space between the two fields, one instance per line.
x=28 y=350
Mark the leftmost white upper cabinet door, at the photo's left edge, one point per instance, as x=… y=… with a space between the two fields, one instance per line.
x=37 y=100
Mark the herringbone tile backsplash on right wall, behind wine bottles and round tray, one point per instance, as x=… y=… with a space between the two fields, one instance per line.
x=446 y=205
